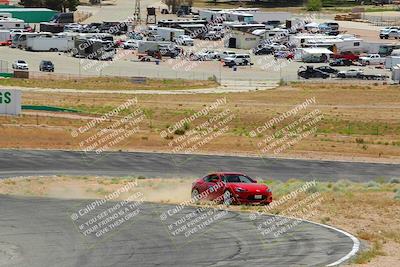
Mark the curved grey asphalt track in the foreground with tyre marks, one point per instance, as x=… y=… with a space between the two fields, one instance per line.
x=39 y=232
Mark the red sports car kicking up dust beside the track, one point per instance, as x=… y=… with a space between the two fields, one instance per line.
x=231 y=188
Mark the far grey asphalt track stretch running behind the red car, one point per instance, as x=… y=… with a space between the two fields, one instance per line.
x=43 y=162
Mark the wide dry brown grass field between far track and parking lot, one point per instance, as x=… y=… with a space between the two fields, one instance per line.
x=358 y=122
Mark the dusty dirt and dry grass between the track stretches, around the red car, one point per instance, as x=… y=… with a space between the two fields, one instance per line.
x=367 y=210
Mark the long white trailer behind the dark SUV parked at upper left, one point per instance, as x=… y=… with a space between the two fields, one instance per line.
x=51 y=44
